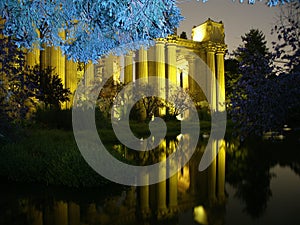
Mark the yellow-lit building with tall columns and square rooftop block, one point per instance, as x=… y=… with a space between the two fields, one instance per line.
x=174 y=58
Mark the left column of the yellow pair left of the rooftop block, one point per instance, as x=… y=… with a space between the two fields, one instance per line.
x=160 y=71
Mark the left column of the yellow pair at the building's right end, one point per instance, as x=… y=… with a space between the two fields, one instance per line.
x=211 y=77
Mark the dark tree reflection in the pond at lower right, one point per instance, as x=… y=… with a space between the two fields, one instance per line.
x=249 y=170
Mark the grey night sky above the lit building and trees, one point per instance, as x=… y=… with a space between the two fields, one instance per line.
x=238 y=18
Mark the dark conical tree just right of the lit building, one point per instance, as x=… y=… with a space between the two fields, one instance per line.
x=255 y=101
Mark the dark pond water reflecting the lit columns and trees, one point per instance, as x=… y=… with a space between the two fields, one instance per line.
x=188 y=197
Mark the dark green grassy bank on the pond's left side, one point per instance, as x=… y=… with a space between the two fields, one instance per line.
x=48 y=157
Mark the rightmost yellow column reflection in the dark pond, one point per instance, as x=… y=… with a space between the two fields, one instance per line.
x=221 y=169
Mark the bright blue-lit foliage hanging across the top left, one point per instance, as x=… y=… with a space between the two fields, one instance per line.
x=93 y=27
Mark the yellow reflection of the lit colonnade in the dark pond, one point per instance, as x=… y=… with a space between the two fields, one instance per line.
x=189 y=195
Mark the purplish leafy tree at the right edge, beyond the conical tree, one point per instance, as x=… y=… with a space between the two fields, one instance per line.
x=287 y=56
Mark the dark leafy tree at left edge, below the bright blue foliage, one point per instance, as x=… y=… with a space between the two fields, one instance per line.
x=16 y=89
